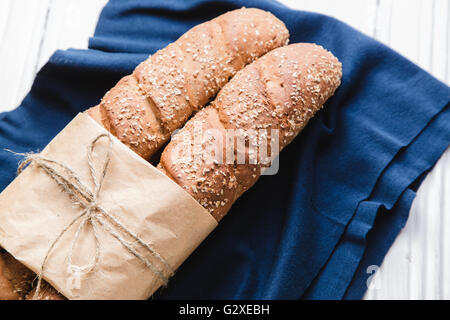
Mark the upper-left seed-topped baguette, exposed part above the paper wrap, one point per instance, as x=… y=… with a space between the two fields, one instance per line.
x=146 y=107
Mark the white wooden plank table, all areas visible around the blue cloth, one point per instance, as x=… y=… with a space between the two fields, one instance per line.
x=418 y=264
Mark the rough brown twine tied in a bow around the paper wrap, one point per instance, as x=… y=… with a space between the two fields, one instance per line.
x=81 y=195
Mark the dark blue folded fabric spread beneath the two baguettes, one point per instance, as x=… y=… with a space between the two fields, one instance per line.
x=344 y=187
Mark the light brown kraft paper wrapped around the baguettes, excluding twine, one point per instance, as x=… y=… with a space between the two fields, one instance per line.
x=34 y=210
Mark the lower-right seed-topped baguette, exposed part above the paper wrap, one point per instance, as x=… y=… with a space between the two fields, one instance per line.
x=282 y=90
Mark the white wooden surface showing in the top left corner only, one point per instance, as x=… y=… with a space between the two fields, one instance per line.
x=30 y=31
